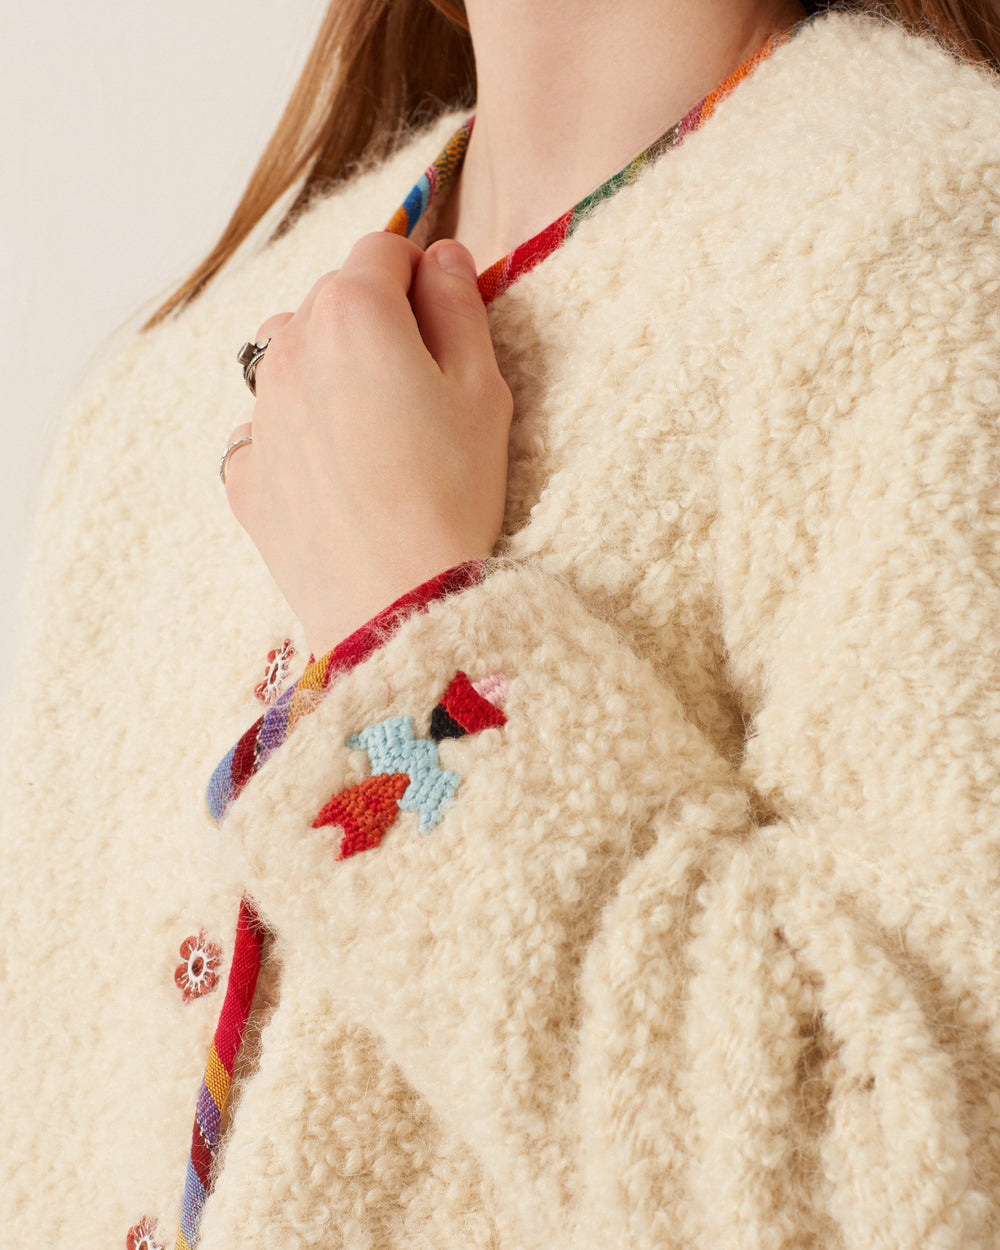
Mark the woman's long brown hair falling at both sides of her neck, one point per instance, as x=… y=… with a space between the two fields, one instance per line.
x=382 y=68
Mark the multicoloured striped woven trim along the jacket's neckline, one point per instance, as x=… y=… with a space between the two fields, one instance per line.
x=498 y=278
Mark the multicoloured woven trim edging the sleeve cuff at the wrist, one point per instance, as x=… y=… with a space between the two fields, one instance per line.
x=274 y=727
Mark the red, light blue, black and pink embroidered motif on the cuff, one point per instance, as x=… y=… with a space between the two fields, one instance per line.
x=407 y=772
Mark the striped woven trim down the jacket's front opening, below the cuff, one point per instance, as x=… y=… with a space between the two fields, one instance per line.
x=216 y=1087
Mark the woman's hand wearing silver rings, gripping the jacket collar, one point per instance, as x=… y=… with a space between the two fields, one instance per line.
x=381 y=436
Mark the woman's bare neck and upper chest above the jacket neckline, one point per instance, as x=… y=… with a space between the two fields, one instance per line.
x=571 y=91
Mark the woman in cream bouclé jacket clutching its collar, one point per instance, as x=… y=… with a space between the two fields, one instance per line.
x=637 y=888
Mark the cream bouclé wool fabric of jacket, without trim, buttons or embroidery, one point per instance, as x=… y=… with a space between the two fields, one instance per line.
x=706 y=951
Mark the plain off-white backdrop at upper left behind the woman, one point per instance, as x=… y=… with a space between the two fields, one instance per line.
x=127 y=136
